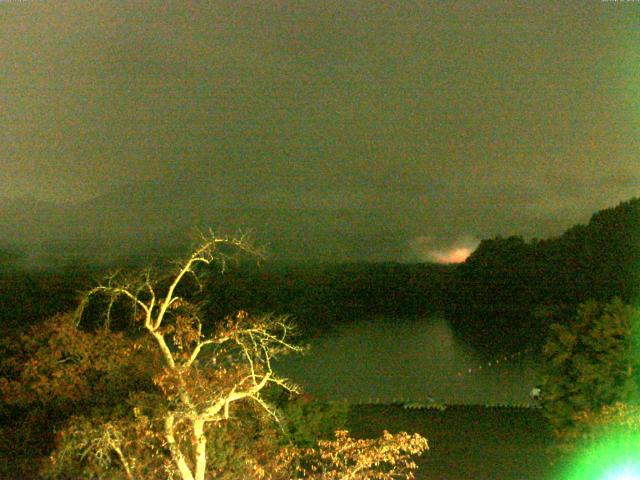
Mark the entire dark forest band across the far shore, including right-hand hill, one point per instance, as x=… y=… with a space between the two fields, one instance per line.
x=503 y=297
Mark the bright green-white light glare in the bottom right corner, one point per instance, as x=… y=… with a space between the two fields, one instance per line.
x=615 y=457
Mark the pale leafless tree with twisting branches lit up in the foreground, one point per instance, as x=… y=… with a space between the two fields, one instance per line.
x=201 y=375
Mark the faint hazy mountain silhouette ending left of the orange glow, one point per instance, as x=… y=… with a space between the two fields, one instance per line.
x=159 y=215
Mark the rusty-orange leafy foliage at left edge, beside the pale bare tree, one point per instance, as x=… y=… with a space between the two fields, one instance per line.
x=56 y=360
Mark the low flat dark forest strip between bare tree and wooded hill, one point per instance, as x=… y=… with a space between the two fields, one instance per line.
x=320 y=296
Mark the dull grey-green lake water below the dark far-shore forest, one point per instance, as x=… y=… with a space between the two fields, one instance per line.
x=401 y=360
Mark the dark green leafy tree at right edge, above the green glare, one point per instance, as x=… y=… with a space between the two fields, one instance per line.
x=590 y=364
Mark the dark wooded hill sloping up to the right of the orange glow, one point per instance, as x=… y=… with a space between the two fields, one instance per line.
x=509 y=291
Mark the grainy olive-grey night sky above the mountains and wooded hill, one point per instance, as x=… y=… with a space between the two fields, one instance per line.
x=457 y=118
